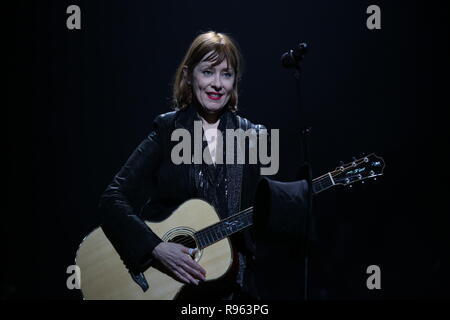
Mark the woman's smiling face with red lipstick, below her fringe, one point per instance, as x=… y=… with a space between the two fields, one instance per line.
x=212 y=85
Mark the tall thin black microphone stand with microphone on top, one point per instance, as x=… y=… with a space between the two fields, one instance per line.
x=292 y=60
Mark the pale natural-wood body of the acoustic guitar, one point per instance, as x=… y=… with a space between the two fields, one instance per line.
x=104 y=276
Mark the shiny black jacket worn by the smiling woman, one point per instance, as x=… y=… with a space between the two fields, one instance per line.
x=150 y=186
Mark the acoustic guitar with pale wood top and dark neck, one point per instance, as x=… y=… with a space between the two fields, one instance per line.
x=194 y=224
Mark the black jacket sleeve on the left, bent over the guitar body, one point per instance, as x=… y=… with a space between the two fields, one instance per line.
x=123 y=199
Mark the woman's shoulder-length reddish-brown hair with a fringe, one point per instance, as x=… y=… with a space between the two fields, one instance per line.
x=223 y=47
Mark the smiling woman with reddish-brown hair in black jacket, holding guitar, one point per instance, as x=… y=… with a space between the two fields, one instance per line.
x=151 y=186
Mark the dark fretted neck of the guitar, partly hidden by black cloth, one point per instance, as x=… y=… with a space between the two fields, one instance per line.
x=235 y=223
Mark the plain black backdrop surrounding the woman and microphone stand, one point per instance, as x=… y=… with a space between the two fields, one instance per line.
x=79 y=102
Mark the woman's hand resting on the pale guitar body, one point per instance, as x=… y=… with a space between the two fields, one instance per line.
x=175 y=257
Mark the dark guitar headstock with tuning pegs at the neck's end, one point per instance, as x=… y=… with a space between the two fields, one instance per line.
x=368 y=167
